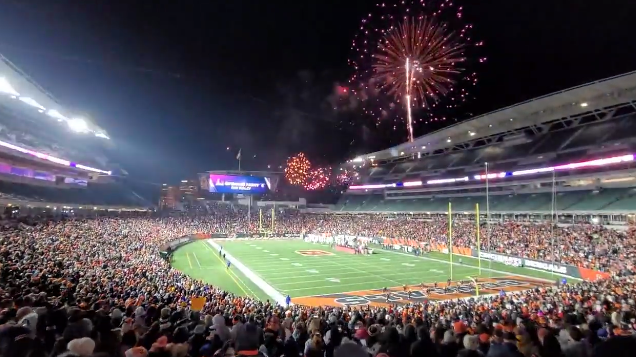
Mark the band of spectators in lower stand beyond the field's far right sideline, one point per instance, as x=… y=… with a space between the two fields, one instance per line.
x=585 y=245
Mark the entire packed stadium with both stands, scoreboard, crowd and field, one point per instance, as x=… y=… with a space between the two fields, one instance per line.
x=529 y=210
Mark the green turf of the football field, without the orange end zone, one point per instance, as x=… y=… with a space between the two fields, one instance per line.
x=279 y=264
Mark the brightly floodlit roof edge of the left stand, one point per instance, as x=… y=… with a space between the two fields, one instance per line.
x=19 y=86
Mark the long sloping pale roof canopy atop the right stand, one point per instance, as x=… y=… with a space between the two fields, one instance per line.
x=586 y=98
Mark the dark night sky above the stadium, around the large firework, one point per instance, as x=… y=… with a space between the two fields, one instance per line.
x=177 y=82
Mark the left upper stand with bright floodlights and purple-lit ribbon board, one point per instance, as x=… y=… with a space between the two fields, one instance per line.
x=54 y=159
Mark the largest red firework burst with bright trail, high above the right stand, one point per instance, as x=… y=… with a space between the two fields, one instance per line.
x=410 y=55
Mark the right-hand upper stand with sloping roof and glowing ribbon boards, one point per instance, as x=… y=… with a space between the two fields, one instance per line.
x=569 y=153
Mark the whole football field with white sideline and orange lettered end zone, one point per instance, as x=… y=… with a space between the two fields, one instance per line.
x=315 y=274
